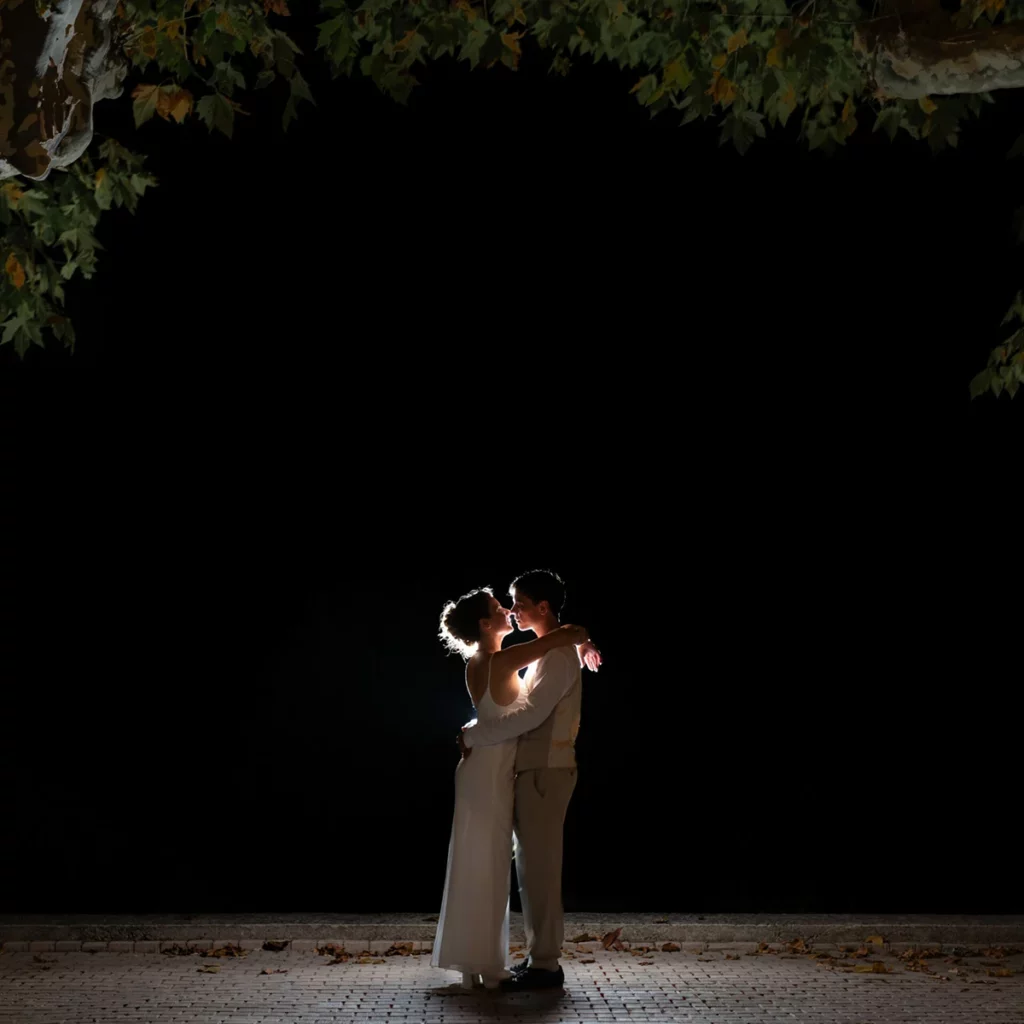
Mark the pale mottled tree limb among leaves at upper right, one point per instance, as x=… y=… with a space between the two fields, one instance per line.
x=913 y=57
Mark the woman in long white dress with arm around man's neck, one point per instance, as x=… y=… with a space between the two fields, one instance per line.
x=473 y=934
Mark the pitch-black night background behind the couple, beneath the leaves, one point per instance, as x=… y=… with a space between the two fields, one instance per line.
x=329 y=380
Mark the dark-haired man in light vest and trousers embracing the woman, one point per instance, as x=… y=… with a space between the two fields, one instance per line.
x=546 y=775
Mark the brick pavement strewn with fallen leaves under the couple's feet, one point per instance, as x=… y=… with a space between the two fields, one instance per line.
x=727 y=986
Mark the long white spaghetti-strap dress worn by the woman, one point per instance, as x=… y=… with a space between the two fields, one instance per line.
x=473 y=931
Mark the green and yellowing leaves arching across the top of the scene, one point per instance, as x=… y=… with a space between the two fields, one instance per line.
x=832 y=66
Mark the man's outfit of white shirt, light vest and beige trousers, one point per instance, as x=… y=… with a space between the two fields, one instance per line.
x=546 y=778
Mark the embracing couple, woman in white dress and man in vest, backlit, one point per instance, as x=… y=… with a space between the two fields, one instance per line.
x=516 y=780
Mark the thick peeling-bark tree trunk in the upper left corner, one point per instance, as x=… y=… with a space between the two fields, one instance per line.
x=53 y=70
